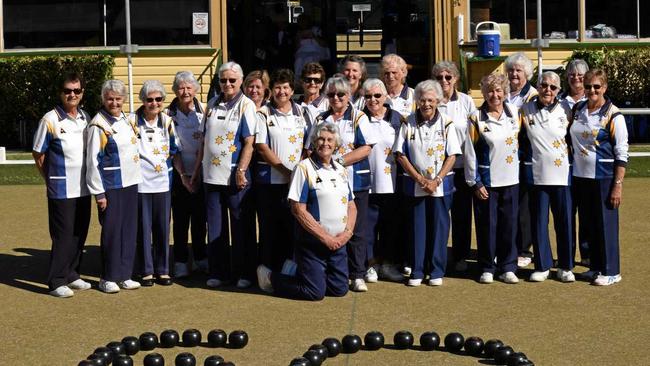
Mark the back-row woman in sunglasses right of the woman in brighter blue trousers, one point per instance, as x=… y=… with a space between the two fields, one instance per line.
x=458 y=106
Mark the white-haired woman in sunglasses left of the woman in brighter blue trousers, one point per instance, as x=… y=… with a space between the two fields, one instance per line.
x=384 y=246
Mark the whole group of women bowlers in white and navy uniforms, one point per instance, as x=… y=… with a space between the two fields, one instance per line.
x=352 y=182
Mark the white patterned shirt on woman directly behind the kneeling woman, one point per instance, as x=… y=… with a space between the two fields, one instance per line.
x=355 y=131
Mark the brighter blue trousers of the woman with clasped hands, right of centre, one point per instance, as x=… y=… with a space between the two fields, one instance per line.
x=429 y=222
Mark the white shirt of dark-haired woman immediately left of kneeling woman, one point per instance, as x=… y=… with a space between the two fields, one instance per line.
x=284 y=133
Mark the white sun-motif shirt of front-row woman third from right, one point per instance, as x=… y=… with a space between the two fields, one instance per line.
x=492 y=148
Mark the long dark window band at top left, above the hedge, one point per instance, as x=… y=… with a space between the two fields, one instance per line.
x=80 y=23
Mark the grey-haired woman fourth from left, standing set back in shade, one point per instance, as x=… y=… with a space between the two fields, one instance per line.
x=188 y=202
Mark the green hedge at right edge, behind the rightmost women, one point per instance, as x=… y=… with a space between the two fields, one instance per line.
x=628 y=73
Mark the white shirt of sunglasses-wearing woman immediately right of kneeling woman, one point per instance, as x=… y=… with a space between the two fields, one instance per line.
x=383 y=168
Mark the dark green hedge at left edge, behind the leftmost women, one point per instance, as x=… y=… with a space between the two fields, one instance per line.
x=30 y=88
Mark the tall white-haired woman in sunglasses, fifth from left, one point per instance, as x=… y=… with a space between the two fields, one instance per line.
x=224 y=157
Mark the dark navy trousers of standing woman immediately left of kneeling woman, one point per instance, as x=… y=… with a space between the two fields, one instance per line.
x=276 y=224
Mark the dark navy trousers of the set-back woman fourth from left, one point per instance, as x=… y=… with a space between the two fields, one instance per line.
x=188 y=211
